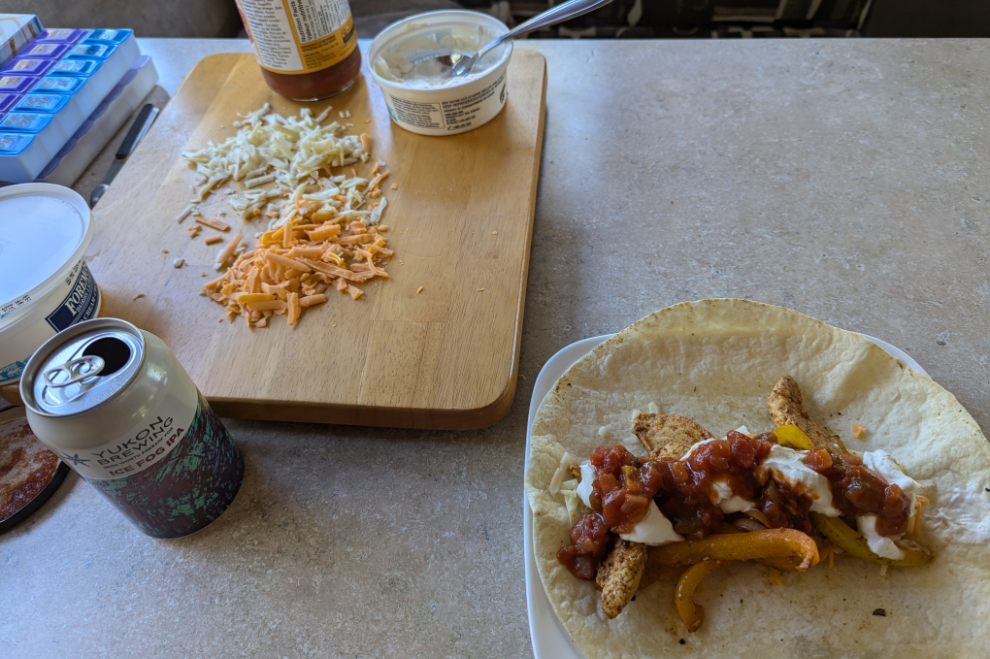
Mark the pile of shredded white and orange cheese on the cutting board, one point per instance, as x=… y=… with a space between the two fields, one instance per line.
x=324 y=230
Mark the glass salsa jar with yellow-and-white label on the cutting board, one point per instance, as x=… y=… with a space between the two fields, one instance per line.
x=307 y=49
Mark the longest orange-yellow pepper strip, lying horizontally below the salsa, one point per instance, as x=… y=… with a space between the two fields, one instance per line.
x=772 y=543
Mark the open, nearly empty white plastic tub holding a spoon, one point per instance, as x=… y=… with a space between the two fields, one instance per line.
x=449 y=107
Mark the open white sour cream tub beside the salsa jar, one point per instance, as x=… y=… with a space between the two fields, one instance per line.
x=401 y=60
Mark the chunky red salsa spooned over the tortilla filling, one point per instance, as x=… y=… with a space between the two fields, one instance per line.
x=683 y=489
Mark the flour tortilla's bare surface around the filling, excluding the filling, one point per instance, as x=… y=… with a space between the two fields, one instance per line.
x=716 y=361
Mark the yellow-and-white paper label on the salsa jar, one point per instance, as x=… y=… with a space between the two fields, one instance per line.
x=299 y=36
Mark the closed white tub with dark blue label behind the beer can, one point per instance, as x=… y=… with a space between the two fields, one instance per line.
x=45 y=285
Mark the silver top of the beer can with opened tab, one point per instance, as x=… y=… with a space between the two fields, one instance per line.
x=82 y=367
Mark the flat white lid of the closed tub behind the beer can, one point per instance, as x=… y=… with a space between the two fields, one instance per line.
x=44 y=231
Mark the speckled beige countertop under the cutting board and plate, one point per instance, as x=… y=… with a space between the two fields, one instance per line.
x=846 y=179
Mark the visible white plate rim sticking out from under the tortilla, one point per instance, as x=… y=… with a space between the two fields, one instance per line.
x=550 y=639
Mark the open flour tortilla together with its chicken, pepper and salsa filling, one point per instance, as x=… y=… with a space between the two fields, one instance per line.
x=793 y=539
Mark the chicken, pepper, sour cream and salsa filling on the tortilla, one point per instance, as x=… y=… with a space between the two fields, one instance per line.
x=680 y=503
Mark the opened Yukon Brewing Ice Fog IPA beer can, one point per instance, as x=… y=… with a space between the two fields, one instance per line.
x=115 y=404
